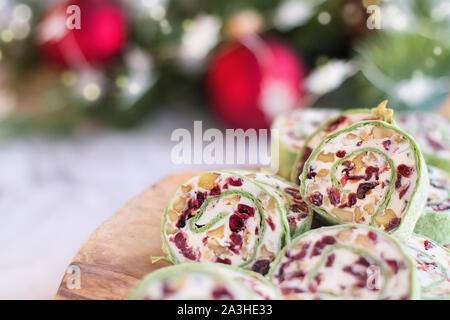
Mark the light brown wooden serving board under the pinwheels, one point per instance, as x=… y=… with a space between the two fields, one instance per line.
x=117 y=255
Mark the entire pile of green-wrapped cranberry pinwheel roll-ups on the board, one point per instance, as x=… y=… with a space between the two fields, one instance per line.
x=353 y=207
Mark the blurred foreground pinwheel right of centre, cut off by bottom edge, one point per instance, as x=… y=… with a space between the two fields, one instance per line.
x=345 y=262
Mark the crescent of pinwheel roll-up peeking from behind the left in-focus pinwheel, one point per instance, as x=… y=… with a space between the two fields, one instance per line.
x=299 y=215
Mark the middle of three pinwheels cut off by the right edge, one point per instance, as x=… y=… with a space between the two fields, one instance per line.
x=434 y=223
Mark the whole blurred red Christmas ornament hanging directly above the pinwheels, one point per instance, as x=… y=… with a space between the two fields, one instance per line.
x=252 y=81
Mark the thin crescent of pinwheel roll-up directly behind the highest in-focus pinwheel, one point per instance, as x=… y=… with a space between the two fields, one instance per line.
x=342 y=121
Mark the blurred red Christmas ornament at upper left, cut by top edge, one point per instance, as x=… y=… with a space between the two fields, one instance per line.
x=101 y=36
